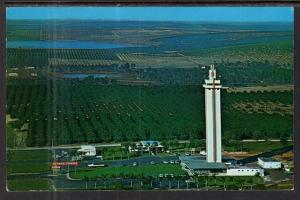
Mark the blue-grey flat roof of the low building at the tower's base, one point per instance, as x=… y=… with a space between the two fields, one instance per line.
x=199 y=162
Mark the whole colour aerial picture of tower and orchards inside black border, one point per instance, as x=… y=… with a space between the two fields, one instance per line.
x=147 y=98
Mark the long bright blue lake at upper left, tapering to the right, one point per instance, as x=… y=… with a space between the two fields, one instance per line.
x=65 y=44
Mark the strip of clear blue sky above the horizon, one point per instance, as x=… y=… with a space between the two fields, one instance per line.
x=192 y=14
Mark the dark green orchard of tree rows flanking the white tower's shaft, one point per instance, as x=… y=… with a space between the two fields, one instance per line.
x=63 y=112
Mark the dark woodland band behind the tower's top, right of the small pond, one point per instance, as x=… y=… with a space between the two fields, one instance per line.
x=231 y=73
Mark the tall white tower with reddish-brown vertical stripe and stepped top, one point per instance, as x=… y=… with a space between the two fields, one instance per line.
x=213 y=117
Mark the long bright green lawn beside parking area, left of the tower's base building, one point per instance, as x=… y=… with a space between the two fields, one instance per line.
x=147 y=170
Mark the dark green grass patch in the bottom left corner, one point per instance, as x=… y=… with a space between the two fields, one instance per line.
x=27 y=184
